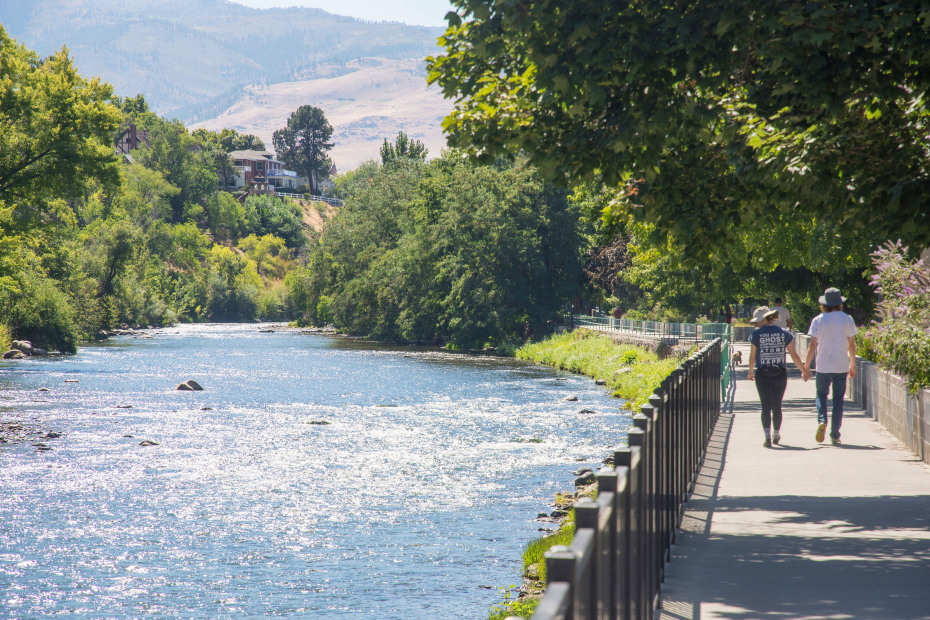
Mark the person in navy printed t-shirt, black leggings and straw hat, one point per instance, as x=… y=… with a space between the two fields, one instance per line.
x=767 y=366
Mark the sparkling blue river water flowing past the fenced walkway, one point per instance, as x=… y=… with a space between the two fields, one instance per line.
x=312 y=477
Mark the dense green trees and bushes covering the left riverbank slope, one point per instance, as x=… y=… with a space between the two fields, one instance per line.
x=90 y=241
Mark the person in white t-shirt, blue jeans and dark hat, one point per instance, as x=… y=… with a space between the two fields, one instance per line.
x=833 y=341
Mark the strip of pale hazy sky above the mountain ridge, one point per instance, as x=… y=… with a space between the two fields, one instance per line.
x=414 y=12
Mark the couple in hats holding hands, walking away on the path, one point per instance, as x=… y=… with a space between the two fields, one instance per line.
x=833 y=349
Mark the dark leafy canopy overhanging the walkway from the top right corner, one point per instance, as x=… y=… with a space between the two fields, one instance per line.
x=710 y=116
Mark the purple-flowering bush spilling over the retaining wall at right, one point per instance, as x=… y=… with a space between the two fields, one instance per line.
x=899 y=338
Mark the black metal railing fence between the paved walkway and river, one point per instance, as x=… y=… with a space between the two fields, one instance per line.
x=615 y=566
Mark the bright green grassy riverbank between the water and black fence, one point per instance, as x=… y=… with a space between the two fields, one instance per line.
x=631 y=372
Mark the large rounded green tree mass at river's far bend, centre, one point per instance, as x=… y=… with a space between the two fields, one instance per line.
x=446 y=252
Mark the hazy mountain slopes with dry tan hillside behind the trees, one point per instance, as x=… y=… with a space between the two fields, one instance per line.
x=198 y=60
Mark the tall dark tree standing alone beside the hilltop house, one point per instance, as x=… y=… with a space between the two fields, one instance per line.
x=302 y=145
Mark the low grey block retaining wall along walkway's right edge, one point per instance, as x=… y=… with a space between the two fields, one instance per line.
x=885 y=398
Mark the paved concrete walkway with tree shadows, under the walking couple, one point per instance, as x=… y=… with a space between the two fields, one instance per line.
x=802 y=530
